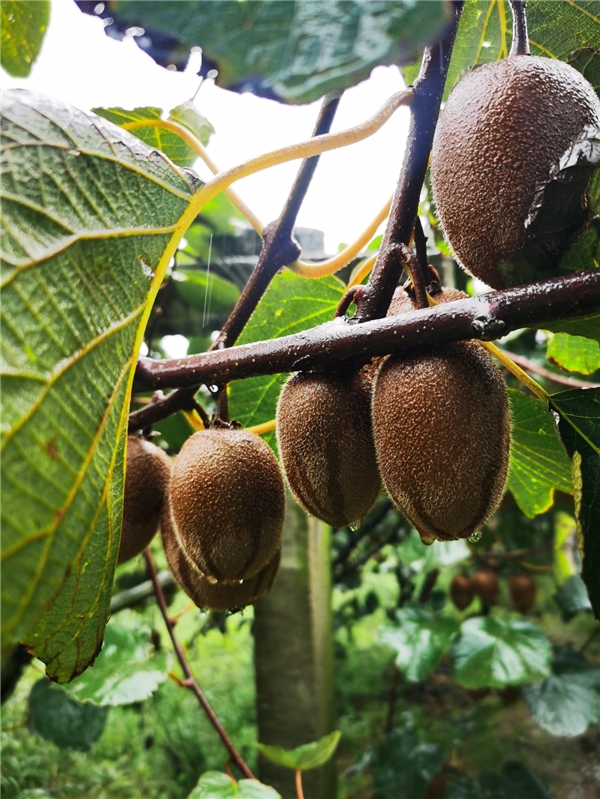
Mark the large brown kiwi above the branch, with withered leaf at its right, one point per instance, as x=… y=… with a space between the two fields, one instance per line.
x=508 y=168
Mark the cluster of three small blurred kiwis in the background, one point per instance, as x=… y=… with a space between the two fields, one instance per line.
x=485 y=584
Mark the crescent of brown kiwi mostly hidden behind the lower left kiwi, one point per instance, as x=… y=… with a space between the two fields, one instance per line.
x=209 y=595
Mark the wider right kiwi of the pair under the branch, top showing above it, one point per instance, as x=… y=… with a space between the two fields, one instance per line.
x=441 y=426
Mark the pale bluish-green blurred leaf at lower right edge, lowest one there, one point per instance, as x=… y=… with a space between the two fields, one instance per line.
x=568 y=702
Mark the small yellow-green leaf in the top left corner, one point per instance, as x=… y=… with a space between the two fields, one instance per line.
x=23 y=25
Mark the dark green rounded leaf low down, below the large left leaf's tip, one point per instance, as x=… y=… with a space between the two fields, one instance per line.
x=58 y=717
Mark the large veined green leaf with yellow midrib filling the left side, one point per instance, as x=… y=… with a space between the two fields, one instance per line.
x=90 y=220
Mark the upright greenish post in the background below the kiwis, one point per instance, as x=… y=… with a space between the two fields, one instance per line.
x=293 y=654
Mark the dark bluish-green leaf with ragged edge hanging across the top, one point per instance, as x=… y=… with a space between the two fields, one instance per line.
x=292 y=50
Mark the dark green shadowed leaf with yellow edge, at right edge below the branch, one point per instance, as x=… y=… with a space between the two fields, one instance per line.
x=579 y=429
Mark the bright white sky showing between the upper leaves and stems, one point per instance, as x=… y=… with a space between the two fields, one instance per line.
x=81 y=65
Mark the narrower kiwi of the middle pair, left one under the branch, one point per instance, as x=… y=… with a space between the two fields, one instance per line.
x=325 y=440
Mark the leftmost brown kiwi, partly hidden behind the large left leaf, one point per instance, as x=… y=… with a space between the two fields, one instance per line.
x=147 y=474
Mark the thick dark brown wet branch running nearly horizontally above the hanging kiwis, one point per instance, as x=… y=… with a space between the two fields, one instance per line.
x=488 y=317
